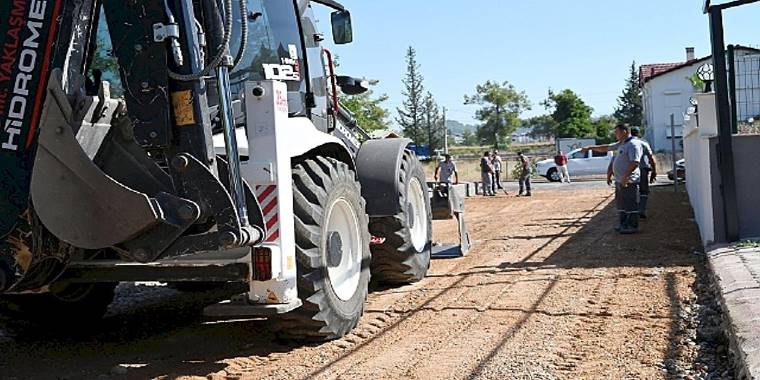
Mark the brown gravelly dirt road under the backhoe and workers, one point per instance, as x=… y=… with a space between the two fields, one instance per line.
x=549 y=291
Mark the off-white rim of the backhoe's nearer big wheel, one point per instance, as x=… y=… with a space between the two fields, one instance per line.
x=344 y=275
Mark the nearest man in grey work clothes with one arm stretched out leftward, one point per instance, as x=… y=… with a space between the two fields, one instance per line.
x=625 y=168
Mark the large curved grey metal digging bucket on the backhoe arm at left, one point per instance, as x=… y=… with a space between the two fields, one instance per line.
x=75 y=200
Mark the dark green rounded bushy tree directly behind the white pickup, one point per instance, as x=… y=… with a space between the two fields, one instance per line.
x=570 y=113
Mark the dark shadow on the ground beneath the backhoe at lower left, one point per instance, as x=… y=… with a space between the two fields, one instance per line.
x=167 y=338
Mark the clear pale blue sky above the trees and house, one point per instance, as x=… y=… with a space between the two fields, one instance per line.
x=586 y=46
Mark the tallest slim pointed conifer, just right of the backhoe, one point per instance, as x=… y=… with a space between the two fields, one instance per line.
x=410 y=114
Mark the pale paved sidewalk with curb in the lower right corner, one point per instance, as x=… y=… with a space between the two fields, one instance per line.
x=736 y=272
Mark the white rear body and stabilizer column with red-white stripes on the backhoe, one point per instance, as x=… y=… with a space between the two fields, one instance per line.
x=270 y=140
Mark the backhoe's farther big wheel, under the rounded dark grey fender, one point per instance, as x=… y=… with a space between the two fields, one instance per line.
x=404 y=257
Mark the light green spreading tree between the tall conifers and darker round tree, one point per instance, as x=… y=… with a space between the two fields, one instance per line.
x=501 y=106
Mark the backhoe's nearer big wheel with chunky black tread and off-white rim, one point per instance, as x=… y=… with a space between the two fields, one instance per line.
x=332 y=251
